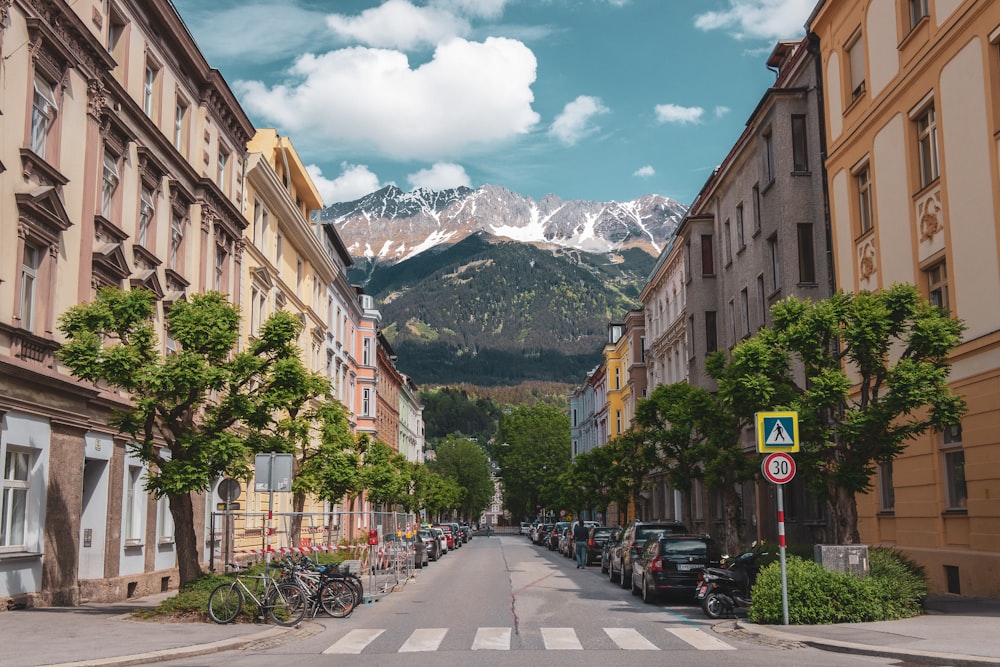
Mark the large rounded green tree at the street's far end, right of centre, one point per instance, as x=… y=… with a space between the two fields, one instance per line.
x=533 y=449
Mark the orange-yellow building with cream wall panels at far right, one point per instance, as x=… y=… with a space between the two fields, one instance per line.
x=913 y=120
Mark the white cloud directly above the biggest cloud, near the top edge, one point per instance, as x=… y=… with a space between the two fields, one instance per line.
x=398 y=24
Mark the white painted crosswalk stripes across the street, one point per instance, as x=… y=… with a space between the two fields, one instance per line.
x=553 y=639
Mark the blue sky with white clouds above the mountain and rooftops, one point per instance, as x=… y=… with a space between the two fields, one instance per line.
x=585 y=99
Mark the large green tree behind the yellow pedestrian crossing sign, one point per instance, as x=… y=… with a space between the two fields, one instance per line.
x=870 y=373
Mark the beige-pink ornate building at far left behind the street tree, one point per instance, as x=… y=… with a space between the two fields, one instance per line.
x=121 y=164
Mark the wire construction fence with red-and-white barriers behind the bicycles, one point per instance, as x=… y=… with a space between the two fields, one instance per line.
x=372 y=545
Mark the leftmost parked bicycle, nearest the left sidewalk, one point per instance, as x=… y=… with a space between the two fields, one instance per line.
x=282 y=602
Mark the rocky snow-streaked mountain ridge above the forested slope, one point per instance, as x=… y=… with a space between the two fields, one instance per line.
x=391 y=225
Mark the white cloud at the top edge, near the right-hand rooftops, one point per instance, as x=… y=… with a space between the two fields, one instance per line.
x=760 y=19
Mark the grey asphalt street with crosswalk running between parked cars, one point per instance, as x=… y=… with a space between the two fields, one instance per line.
x=499 y=601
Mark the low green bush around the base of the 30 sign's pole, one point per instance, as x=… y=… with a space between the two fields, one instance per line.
x=894 y=589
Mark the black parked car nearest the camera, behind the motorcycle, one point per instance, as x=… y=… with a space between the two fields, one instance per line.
x=672 y=564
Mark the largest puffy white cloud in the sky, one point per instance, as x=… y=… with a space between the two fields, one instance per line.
x=469 y=95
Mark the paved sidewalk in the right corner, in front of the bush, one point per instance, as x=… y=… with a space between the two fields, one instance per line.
x=954 y=631
